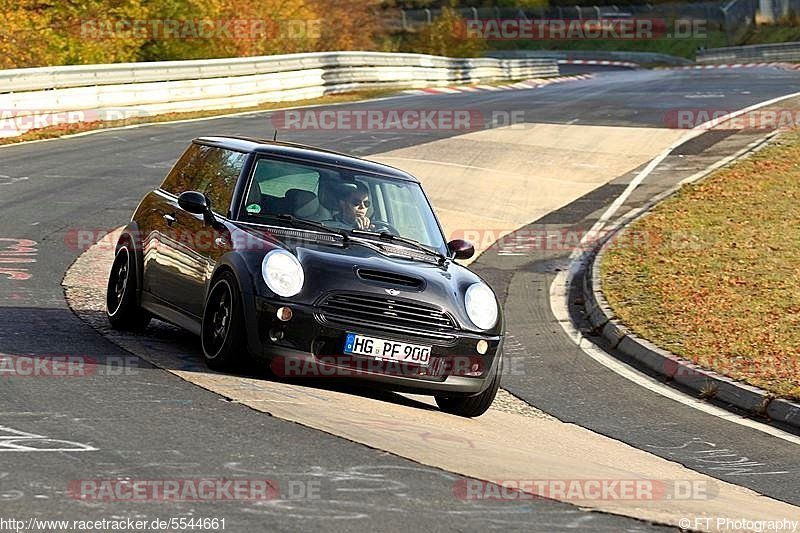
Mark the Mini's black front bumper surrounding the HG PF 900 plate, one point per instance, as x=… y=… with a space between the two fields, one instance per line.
x=311 y=346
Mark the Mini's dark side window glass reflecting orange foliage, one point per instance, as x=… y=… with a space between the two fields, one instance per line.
x=207 y=169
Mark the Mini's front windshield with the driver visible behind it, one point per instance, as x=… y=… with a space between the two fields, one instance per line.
x=341 y=199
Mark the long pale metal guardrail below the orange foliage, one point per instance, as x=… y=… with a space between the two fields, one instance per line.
x=114 y=91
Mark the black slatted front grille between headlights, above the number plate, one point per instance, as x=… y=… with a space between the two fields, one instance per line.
x=379 y=311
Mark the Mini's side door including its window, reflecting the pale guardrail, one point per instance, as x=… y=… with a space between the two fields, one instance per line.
x=189 y=247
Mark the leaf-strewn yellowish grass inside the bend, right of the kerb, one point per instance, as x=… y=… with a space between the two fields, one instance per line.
x=715 y=277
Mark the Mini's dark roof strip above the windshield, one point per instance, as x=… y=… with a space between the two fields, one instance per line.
x=305 y=153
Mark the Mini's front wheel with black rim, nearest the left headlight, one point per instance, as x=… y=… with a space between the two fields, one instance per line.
x=223 y=332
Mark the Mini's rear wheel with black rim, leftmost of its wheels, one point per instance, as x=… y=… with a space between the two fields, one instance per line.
x=122 y=309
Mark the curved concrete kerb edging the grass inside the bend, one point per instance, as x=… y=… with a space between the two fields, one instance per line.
x=705 y=383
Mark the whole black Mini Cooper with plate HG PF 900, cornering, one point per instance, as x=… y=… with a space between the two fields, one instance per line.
x=323 y=264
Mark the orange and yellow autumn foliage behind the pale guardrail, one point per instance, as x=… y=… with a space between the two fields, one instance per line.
x=58 y=32
